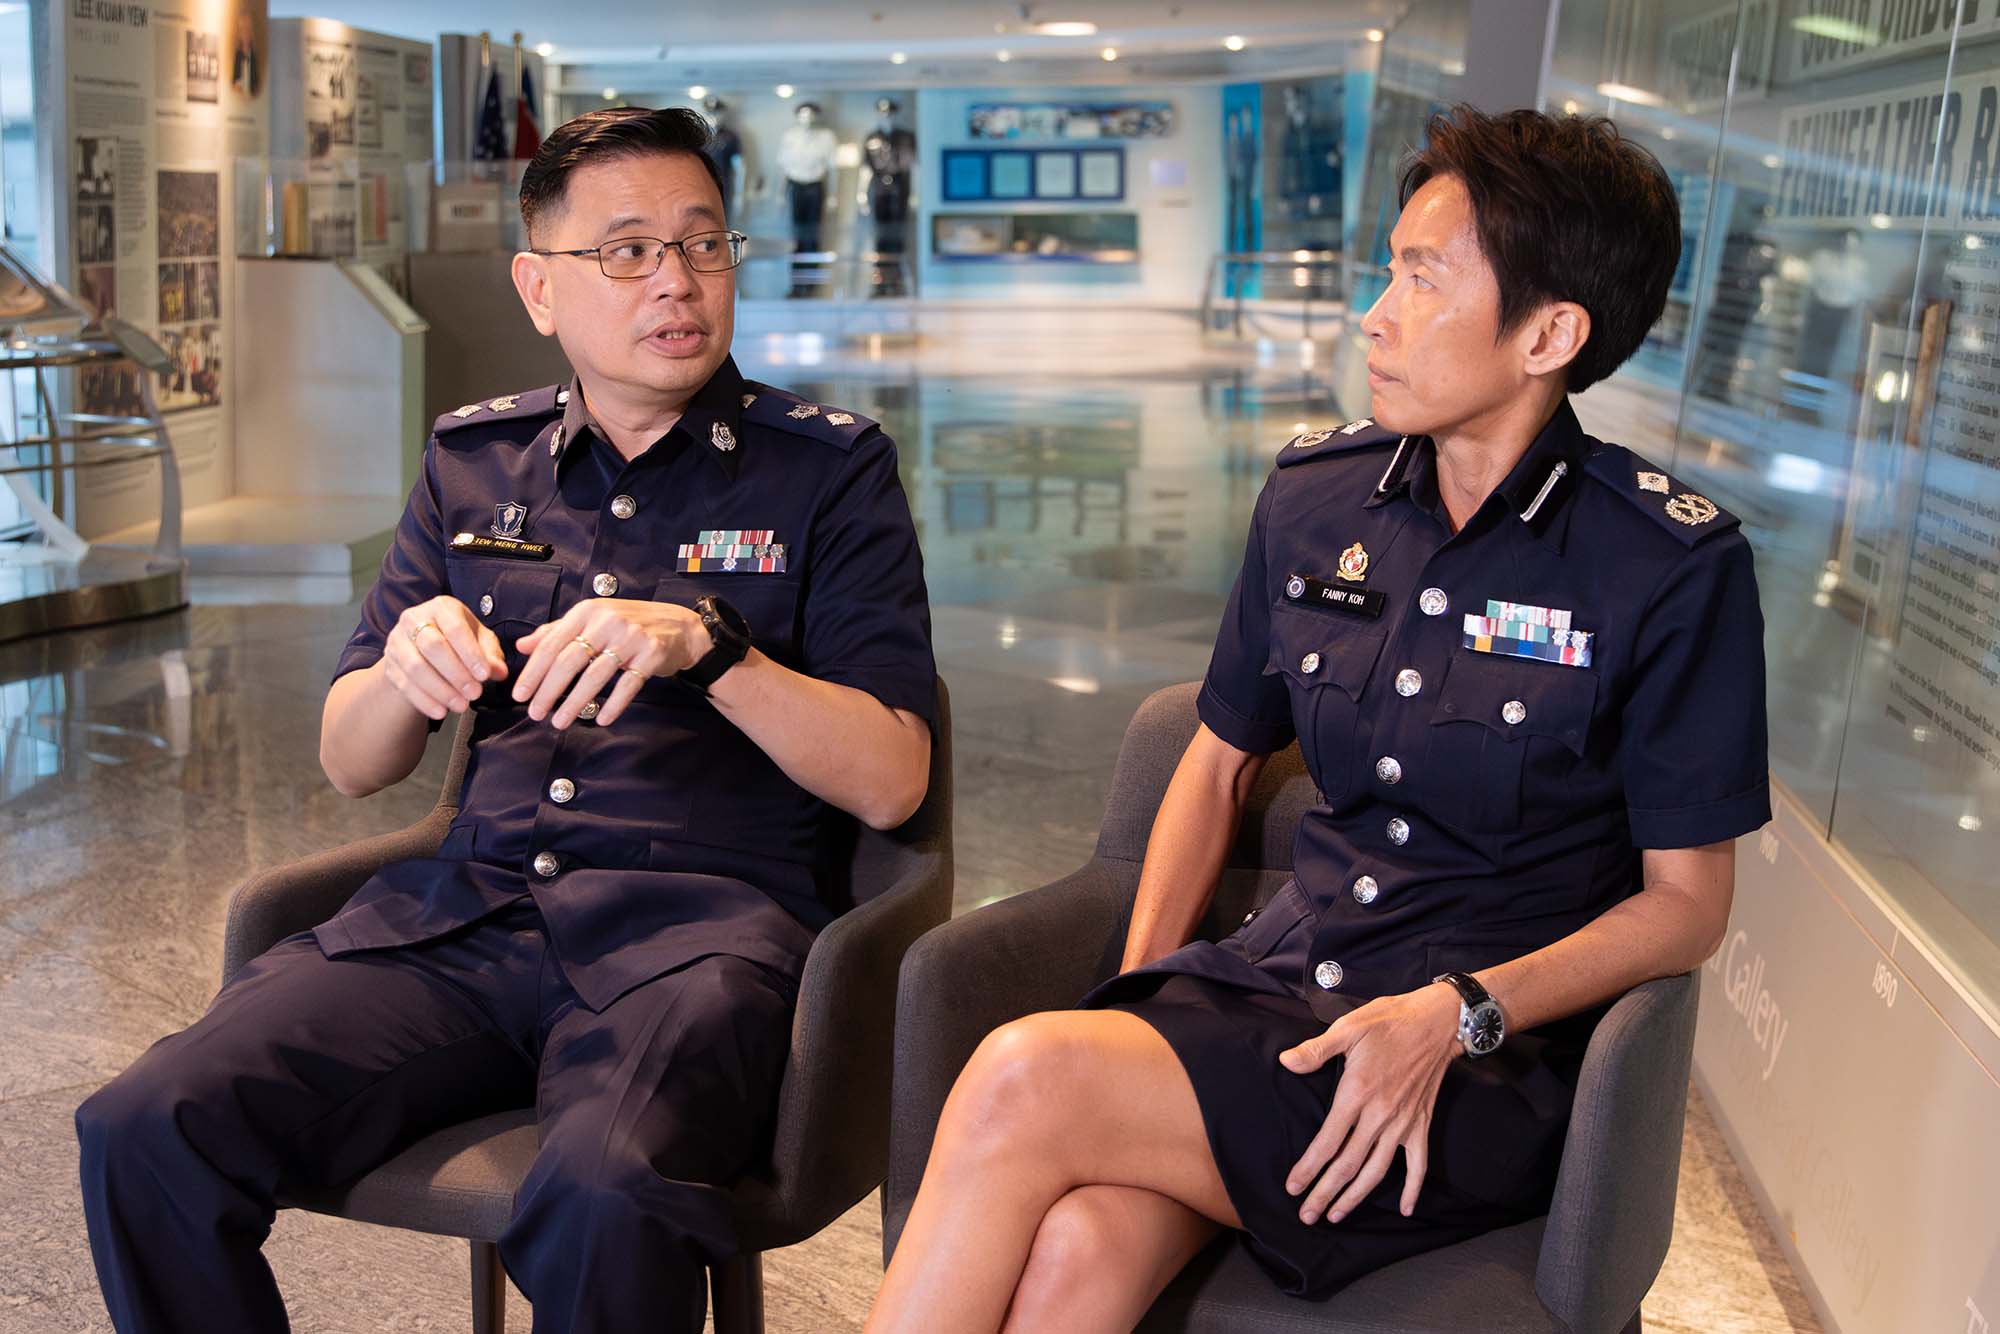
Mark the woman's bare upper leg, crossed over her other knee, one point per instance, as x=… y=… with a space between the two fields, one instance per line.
x=1047 y=1105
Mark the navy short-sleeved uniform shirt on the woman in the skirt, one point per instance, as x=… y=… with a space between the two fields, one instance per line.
x=1501 y=719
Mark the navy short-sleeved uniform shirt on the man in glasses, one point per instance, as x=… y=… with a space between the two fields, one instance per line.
x=669 y=835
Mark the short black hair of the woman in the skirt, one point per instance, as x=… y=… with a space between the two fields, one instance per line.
x=1567 y=211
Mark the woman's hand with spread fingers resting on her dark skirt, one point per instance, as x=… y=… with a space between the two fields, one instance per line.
x=1397 y=1051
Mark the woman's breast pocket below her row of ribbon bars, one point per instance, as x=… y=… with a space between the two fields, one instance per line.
x=1509 y=735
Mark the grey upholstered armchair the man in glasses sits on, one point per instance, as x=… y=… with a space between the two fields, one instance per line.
x=831 y=1139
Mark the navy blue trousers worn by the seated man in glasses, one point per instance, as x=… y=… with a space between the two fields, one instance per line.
x=309 y=1073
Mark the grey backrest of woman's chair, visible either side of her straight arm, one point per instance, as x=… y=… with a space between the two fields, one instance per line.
x=1259 y=863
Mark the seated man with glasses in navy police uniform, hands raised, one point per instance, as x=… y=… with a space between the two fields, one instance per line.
x=689 y=617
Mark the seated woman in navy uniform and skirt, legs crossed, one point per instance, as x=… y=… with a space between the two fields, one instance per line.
x=1525 y=669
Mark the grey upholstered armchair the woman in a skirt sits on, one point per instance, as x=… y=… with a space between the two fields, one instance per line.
x=1579 y=1271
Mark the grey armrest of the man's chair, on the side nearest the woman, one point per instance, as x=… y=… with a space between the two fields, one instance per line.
x=831 y=1139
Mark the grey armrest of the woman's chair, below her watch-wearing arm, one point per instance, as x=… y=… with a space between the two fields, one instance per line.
x=1613 y=1215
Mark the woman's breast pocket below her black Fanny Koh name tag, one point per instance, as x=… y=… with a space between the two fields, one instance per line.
x=1327 y=661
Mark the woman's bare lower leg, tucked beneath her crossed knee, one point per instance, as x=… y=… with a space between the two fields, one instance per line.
x=1101 y=1259
